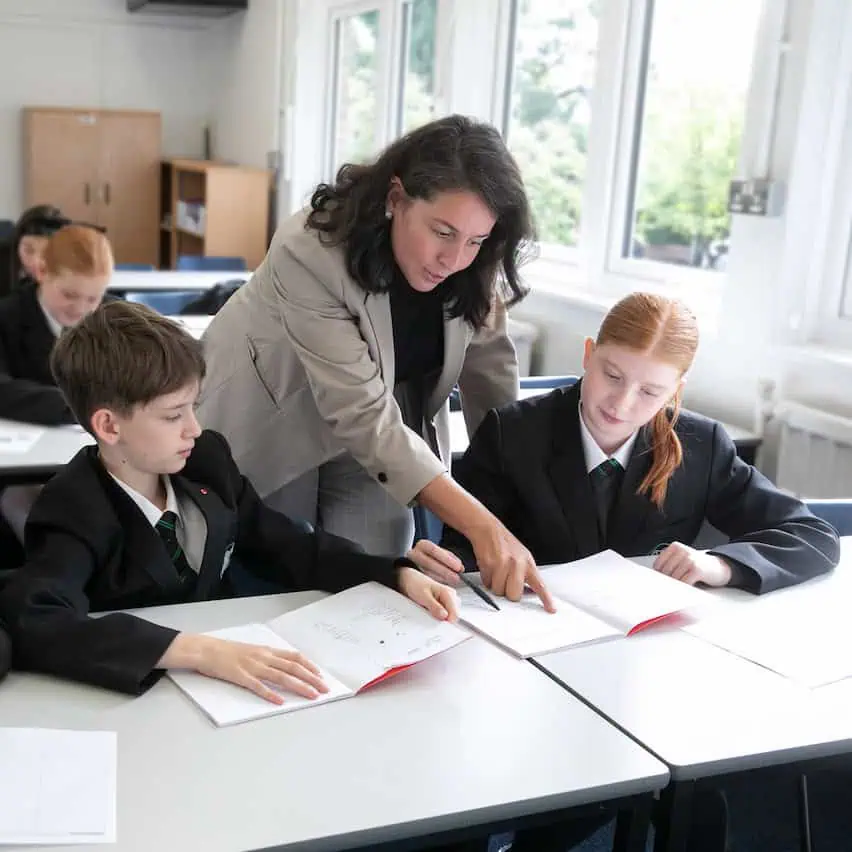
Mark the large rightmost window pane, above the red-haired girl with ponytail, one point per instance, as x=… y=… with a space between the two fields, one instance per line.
x=699 y=70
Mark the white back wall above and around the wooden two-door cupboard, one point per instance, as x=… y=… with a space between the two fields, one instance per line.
x=93 y=53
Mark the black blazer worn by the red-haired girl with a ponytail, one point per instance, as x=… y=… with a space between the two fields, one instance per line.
x=526 y=464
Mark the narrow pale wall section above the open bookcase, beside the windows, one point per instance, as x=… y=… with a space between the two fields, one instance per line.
x=247 y=54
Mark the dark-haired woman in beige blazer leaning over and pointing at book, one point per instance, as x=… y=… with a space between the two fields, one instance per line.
x=329 y=372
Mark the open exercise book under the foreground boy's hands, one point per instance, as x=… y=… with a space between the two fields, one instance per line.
x=357 y=637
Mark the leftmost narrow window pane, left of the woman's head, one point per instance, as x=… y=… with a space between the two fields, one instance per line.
x=356 y=83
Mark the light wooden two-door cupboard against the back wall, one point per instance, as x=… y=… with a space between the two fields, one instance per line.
x=98 y=166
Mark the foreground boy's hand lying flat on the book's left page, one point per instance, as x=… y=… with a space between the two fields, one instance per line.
x=249 y=666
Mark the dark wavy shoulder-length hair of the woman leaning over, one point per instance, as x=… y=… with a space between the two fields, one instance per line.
x=451 y=154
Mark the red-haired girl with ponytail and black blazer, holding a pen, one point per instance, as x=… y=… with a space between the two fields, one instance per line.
x=613 y=462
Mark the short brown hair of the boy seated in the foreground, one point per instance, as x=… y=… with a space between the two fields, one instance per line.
x=123 y=355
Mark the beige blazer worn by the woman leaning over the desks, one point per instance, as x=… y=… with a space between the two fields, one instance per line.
x=300 y=368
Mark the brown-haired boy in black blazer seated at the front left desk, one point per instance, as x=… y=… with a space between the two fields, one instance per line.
x=152 y=515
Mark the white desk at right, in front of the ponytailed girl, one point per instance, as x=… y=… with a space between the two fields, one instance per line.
x=706 y=712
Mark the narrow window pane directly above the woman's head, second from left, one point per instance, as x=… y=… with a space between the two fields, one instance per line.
x=418 y=57
